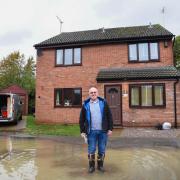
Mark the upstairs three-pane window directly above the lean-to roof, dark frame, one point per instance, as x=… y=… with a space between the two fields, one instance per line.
x=143 y=52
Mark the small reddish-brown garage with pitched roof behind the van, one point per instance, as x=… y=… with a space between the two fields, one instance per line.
x=15 y=89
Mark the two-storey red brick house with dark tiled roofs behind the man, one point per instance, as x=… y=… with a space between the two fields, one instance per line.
x=133 y=68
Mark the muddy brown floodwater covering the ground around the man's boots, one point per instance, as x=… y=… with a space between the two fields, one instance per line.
x=42 y=159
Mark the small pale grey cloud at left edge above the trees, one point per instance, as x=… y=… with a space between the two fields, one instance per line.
x=14 y=37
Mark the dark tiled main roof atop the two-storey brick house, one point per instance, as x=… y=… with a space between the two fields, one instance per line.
x=120 y=34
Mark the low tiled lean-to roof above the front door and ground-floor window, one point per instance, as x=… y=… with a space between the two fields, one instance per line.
x=111 y=74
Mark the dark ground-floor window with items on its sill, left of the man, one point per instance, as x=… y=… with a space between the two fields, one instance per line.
x=67 y=97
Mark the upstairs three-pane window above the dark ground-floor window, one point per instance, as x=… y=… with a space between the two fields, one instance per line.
x=68 y=57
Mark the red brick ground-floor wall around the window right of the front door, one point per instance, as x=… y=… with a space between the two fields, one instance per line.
x=150 y=116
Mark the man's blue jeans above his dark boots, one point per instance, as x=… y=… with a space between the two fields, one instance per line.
x=97 y=136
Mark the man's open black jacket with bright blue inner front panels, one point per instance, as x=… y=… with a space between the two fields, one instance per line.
x=85 y=116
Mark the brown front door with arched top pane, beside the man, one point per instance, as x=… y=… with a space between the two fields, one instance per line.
x=113 y=97
